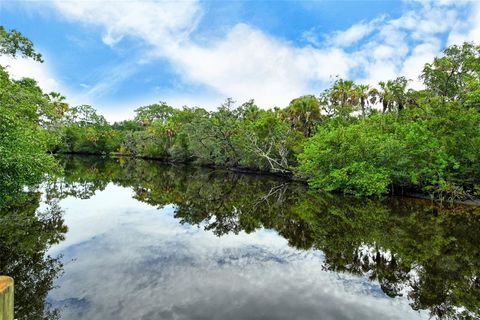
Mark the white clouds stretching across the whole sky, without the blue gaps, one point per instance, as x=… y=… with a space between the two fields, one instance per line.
x=248 y=63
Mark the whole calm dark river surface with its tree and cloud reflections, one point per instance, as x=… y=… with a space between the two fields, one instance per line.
x=131 y=239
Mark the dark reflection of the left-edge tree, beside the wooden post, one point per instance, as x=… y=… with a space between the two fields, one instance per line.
x=25 y=236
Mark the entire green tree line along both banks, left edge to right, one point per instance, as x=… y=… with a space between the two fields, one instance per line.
x=352 y=138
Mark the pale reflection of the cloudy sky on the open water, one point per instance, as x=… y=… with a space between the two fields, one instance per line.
x=140 y=263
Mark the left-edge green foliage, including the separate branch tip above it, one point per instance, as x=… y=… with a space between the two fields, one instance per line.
x=28 y=119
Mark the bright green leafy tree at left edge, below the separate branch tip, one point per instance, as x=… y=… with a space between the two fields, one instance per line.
x=23 y=141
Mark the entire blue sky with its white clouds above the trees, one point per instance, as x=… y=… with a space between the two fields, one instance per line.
x=118 y=55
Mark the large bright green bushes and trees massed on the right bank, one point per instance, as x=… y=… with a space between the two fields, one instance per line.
x=425 y=140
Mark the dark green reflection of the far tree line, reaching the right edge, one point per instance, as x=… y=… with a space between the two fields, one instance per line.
x=408 y=246
